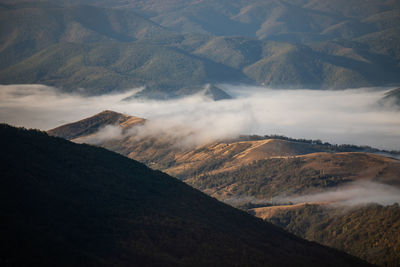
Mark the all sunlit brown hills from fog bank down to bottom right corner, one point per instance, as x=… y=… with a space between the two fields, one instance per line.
x=254 y=172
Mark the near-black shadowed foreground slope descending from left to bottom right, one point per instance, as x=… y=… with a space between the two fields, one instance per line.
x=70 y=204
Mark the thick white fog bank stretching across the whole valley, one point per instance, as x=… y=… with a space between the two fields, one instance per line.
x=346 y=116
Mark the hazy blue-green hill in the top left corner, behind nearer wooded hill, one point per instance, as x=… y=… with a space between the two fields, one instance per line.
x=29 y=27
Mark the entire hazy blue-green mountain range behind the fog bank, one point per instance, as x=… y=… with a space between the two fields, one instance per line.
x=175 y=48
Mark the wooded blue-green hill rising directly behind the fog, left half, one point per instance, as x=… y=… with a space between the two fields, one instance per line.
x=106 y=67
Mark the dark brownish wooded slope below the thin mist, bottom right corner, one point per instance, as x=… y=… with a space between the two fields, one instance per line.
x=370 y=232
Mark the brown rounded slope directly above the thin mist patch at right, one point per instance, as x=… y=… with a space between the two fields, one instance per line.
x=297 y=175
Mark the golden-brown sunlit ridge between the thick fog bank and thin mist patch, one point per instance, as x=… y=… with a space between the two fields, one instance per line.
x=259 y=168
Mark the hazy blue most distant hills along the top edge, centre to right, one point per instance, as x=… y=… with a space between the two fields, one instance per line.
x=277 y=19
